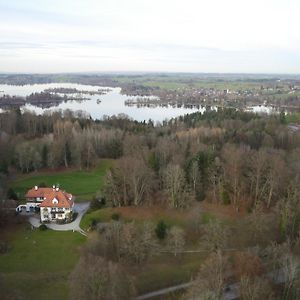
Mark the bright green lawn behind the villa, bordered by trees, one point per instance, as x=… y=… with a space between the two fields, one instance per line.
x=82 y=183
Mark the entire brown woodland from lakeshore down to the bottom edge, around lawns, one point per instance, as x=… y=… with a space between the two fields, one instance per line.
x=239 y=162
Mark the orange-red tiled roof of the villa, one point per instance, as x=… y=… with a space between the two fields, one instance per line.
x=64 y=199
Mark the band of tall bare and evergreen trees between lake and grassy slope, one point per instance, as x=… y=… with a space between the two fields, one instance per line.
x=225 y=156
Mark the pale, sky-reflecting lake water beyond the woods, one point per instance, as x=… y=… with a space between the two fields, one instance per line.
x=112 y=103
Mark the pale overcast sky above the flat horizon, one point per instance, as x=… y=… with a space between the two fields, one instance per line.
x=218 y=36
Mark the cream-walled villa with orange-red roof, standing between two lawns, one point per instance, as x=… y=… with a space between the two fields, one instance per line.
x=54 y=204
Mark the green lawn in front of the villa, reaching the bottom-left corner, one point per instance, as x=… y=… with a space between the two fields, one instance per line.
x=38 y=264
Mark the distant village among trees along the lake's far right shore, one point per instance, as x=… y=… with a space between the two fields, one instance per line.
x=285 y=95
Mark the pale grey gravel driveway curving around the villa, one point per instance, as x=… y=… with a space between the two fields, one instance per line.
x=81 y=208
